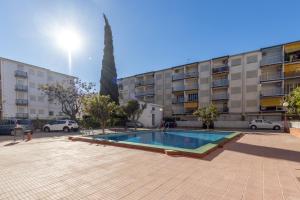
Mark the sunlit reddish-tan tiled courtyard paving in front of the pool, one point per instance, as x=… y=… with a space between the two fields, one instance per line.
x=257 y=166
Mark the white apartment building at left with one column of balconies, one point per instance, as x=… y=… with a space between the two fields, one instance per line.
x=20 y=96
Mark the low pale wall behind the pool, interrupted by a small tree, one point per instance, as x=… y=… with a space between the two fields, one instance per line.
x=218 y=124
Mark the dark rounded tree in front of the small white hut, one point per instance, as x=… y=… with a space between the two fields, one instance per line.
x=134 y=110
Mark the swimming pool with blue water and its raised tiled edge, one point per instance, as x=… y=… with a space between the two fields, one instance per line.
x=173 y=142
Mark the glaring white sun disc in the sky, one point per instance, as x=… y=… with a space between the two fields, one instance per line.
x=68 y=39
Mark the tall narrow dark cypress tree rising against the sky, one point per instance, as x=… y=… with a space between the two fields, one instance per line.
x=108 y=82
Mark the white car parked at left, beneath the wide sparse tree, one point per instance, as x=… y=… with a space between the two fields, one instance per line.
x=61 y=125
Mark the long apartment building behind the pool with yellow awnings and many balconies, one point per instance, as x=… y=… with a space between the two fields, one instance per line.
x=244 y=86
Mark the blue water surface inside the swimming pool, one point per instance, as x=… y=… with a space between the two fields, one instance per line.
x=179 y=139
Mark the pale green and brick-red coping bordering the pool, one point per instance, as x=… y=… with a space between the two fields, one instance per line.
x=197 y=153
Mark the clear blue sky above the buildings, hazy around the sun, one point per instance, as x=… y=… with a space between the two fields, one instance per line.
x=148 y=35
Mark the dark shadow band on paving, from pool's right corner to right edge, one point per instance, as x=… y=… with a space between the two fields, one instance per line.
x=256 y=150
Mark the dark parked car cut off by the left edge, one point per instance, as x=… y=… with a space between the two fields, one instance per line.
x=7 y=126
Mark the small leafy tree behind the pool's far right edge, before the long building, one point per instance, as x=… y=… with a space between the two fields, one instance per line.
x=208 y=115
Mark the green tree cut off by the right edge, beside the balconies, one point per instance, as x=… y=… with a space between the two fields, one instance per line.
x=293 y=100
